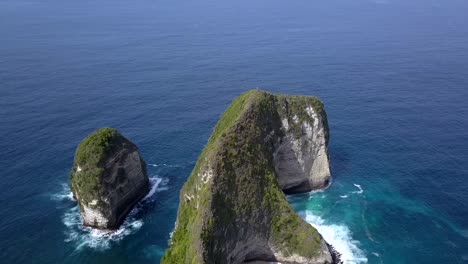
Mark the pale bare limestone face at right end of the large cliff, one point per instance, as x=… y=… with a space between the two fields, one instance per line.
x=301 y=153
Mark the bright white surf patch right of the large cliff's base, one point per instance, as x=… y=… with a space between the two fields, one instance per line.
x=340 y=238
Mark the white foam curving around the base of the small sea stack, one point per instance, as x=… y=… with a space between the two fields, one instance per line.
x=84 y=236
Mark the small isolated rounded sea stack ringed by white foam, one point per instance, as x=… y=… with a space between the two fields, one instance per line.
x=108 y=178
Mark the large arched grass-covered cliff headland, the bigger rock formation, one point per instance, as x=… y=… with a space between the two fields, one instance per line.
x=232 y=208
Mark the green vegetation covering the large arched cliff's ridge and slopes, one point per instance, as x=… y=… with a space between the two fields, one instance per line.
x=233 y=195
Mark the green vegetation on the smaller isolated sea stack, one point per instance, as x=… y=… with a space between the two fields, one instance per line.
x=88 y=162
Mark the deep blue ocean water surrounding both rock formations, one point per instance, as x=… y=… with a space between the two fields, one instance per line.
x=393 y=75
